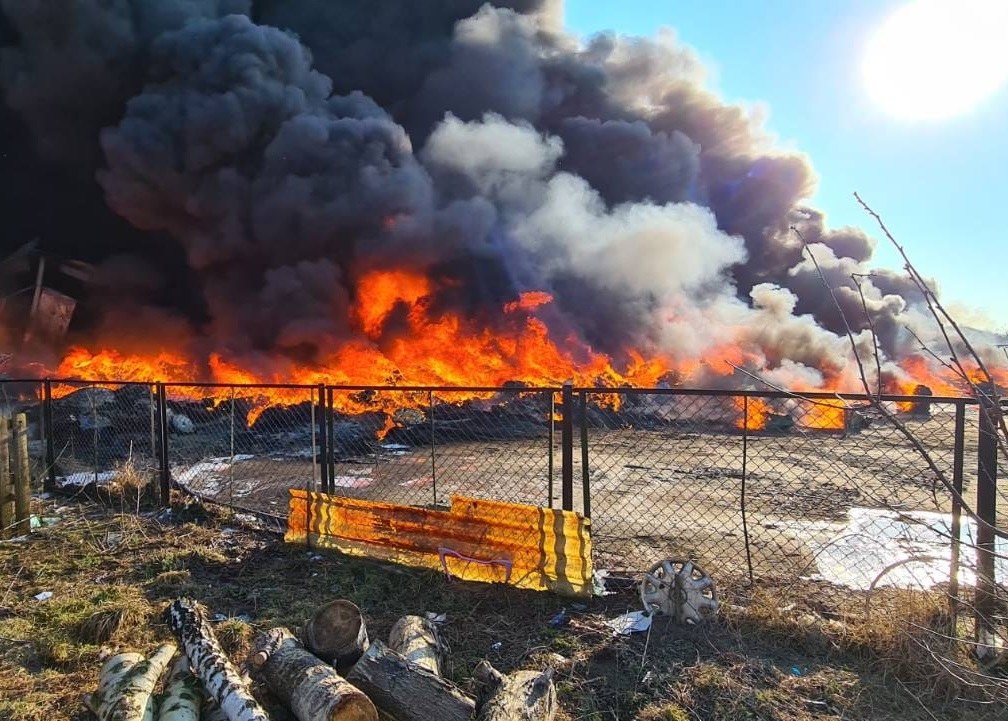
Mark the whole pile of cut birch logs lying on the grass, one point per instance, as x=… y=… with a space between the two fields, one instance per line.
x=332 y=672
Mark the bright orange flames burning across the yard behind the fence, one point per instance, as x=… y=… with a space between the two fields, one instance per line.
x=401 y=341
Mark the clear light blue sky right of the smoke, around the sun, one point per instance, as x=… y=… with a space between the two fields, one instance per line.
x=939 y=185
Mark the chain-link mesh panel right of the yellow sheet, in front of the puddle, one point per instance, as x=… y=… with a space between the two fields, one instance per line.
x=758 y=488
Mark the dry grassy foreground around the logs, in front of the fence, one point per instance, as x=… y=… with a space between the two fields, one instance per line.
x=111 y=573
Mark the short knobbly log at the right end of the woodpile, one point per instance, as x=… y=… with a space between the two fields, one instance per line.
x=521 y=696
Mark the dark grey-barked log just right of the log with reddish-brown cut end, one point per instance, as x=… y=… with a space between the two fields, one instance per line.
x=408 y=692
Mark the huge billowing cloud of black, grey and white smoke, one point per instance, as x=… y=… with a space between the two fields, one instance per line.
x=285 y=148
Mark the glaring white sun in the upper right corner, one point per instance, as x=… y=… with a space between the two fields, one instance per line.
x=933 y=60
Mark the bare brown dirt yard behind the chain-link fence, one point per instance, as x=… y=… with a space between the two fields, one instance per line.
x=675 y=491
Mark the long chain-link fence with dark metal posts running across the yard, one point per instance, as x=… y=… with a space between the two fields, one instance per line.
x=767 y=489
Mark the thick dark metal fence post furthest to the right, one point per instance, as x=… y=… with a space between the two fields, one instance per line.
x=987 y=499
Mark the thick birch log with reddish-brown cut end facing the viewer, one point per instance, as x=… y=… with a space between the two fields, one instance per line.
x=307 y=685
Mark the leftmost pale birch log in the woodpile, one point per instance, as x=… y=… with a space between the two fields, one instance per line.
x=127 y=685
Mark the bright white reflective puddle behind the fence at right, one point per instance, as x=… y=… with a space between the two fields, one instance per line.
x=898 y=549
